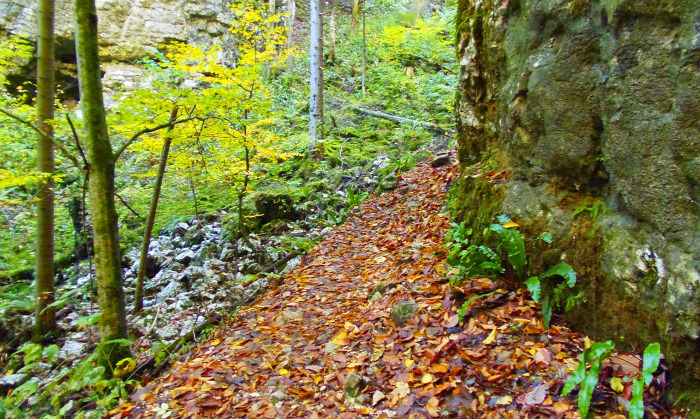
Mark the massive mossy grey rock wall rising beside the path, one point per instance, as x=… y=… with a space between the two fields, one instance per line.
x=592 y=110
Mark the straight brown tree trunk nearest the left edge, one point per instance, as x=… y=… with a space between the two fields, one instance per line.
x=45 y=316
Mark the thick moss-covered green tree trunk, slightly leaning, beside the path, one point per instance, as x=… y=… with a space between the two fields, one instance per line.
x=101 y=191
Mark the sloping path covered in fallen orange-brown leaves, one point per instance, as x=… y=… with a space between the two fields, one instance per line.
x=367 y=326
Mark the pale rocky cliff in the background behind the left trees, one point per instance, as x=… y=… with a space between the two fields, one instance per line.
x=129 y=30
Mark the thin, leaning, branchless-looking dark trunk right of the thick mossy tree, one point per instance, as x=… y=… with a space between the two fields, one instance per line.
x=151 y=218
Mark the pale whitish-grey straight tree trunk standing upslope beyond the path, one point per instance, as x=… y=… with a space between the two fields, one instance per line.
x=316 y=78
